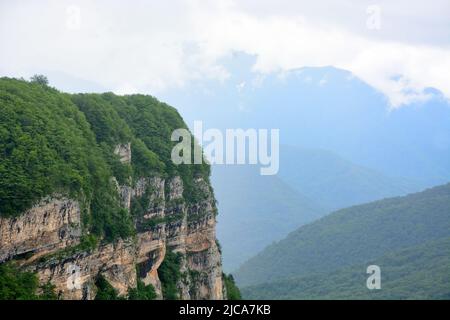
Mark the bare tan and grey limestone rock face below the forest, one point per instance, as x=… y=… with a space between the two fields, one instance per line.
x=167 y=223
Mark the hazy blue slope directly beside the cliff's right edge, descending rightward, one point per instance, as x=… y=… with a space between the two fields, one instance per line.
x=255 y=211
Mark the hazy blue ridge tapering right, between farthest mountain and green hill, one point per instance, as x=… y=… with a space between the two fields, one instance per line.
x=335 y=182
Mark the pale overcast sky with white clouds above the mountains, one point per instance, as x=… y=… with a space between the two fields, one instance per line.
x=399 y=47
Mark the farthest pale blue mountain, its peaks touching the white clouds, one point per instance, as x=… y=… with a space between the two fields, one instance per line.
x=327 y=108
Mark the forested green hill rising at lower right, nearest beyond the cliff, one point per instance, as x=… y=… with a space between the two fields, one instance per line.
x=407 y=237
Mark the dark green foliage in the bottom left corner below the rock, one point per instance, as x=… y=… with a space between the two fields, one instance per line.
x=19 y=285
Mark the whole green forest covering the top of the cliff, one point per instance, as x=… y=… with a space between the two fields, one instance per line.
x=51 y=142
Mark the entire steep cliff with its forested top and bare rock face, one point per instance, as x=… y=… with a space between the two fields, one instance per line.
x=123 y=218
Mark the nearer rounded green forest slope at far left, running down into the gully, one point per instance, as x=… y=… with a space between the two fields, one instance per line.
x=47 y=147
